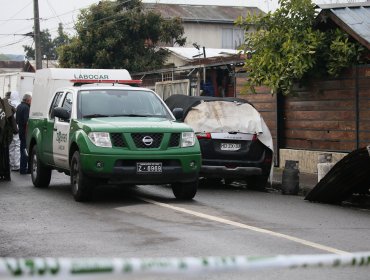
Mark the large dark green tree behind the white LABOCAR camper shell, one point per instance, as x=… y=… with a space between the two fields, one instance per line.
x=120 y=34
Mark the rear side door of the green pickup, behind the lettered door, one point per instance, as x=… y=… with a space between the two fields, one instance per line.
x=48 y=131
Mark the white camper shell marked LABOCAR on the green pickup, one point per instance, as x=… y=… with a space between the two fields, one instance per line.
x=48 y=80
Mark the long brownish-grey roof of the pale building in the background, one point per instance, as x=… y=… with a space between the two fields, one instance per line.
x=202 y=13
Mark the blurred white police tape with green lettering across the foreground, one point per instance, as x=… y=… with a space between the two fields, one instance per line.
x=66 y=268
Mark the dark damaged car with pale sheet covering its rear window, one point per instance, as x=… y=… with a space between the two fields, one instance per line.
x=235 y=142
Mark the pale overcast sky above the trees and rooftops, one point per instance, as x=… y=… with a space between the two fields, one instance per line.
x=16 y=18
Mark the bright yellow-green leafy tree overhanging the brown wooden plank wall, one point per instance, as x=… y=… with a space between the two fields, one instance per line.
x=285 y=47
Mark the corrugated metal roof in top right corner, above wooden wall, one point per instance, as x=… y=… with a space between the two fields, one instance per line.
x=354 y=18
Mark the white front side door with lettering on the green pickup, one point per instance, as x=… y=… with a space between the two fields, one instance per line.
x=61 y=135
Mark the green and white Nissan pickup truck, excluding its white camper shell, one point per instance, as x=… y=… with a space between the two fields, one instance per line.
x=101 y=134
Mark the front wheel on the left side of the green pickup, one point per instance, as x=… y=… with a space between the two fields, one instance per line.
x=81 y=188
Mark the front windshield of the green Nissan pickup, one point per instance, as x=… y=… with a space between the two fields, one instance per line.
x=102 y=103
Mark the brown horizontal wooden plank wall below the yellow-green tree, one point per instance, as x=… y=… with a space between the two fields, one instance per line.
x=329 y=115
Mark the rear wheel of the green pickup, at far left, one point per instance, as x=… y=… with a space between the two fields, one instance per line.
x=40 y=173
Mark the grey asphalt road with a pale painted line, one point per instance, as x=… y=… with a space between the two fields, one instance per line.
x=147 y=221
